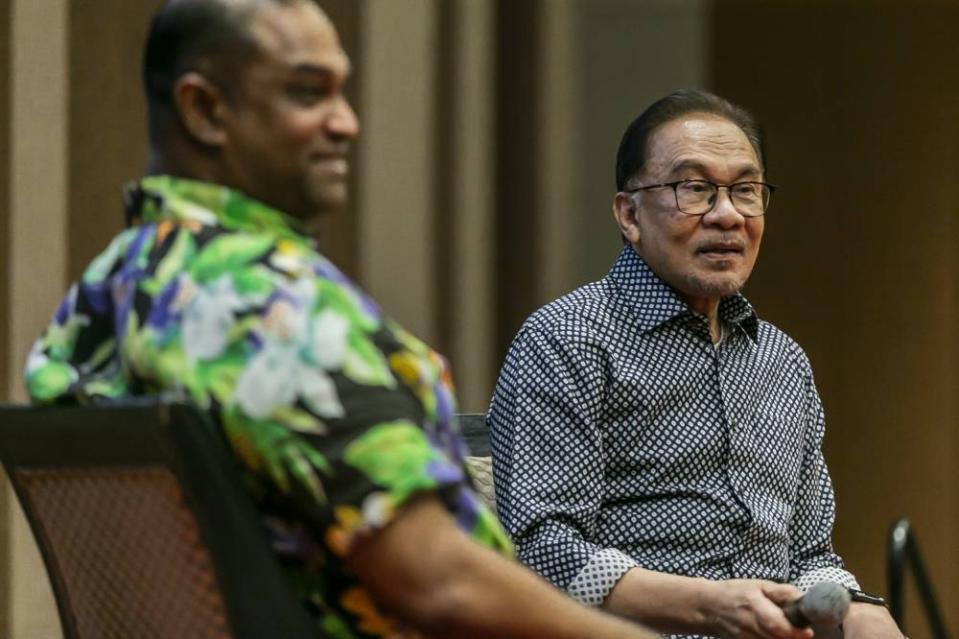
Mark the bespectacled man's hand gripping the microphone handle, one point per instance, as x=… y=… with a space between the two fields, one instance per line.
x=751 y=608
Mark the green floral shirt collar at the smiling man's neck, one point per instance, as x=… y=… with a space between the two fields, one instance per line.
x=163 y=197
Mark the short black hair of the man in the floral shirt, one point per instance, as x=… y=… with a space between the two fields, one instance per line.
x=194 y=35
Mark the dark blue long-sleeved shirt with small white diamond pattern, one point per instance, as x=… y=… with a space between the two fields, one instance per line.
x=622 y=436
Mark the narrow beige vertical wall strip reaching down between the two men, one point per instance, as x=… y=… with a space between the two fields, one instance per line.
x=465 y=203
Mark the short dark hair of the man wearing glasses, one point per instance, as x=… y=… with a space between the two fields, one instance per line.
x=631 y=156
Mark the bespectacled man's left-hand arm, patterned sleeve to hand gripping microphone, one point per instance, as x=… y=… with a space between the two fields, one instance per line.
x=549 y=463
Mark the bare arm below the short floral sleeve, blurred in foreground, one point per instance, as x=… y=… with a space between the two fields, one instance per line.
x=459 y=588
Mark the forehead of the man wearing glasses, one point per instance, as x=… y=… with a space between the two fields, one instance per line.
x=699 y=140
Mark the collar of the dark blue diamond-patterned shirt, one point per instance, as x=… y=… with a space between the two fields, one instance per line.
x=654 y=302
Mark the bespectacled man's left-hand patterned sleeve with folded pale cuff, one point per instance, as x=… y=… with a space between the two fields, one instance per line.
x=548 y=461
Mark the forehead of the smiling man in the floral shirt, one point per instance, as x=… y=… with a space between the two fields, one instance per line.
x=298 y=34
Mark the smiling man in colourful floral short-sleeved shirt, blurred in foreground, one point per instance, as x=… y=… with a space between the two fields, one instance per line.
x=341 y=419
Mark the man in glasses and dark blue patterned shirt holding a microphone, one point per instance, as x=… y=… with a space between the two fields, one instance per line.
x=656 y=447
